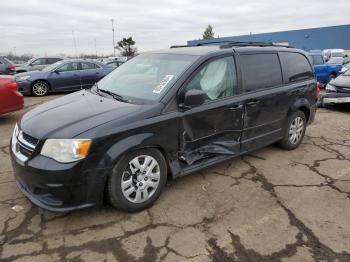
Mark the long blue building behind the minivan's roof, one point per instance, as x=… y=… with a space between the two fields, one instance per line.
x=306 y=39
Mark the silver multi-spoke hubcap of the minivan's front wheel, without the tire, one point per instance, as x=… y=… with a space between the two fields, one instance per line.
x=140 y=179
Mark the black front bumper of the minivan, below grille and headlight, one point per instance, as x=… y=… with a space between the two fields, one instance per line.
x=55 y=186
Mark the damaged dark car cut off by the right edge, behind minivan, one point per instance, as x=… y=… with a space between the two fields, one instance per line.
x=338 y=90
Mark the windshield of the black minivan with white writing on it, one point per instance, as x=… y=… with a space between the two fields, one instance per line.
x=147 y=76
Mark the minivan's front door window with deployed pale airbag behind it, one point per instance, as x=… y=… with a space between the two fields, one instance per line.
x=217 y=79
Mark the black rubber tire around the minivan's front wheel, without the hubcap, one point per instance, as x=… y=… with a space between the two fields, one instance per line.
x=115 y=194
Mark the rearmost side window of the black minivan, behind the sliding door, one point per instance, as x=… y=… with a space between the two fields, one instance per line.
x=296 y=67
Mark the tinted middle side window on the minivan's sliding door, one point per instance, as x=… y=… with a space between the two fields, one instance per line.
x=260 y=71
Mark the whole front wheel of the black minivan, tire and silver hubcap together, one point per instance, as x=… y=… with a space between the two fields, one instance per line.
x=139 y=190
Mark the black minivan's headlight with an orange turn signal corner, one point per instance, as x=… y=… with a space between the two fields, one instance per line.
x=66 y=150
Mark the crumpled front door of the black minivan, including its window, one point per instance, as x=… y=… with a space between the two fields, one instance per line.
x=214 y=128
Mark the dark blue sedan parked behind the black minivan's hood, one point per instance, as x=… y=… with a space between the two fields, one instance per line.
x=67 y=75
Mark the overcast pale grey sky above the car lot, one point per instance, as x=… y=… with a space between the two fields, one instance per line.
x=48 y=27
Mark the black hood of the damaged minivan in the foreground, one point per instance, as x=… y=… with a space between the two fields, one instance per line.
x=70 y=115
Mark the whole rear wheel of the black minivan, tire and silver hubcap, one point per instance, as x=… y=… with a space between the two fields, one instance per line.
x=294 y=131
